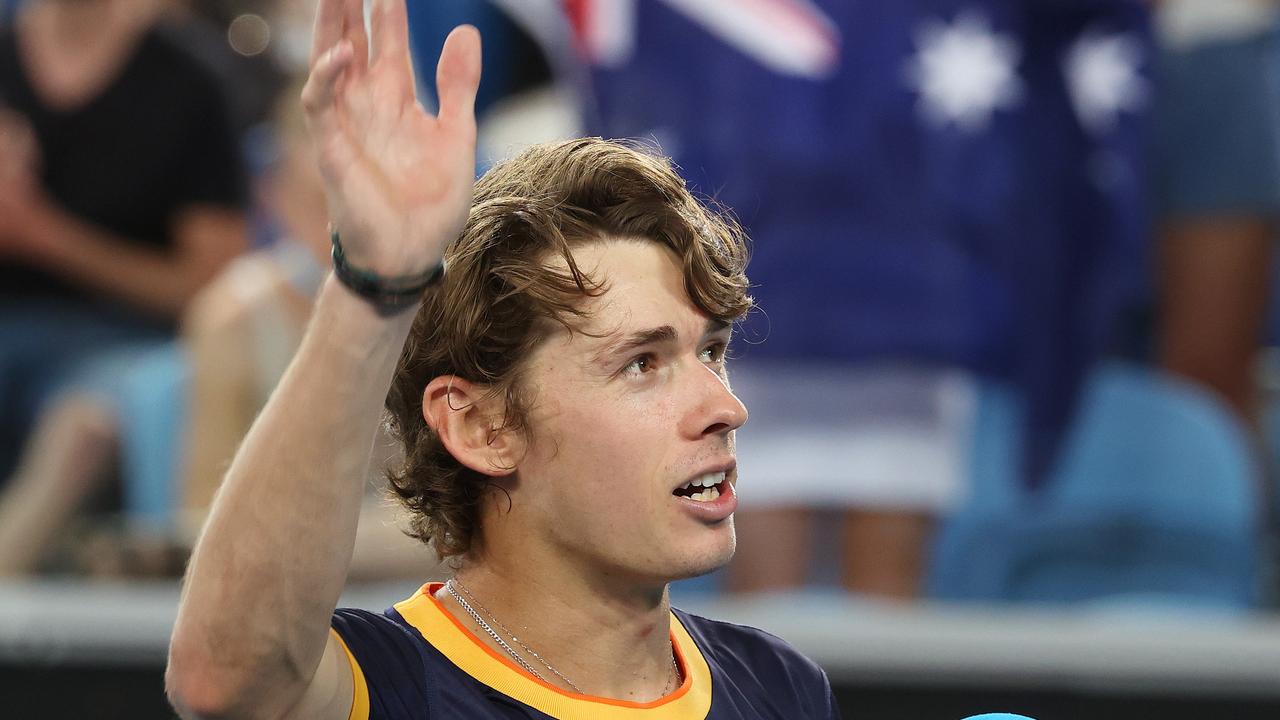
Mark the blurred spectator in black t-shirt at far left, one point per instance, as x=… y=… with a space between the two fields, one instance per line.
x=121 y=195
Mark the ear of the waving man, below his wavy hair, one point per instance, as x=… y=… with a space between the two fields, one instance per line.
x=469 y=422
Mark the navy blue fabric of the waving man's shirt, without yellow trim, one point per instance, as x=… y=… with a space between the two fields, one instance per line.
x=756 y=676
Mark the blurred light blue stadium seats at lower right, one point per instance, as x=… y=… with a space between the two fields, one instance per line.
x=1155 y=498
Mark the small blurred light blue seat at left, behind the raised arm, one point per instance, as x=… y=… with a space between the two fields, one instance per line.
x=153 y=416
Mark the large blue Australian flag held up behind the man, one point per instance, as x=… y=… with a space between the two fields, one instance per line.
x=949 y=183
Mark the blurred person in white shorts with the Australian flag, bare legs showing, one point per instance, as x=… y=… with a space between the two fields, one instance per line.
x=936 y=192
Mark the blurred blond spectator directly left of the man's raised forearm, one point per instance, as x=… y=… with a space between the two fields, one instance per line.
x=243 y=330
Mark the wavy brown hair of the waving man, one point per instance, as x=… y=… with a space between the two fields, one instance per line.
x=501 y=295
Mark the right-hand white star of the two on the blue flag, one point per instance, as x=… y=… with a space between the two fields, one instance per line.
x=1103 y=76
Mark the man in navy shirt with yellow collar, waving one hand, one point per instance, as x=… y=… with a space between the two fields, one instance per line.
x=566 y=420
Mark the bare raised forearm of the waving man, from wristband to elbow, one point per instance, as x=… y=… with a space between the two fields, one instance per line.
x=273 y=559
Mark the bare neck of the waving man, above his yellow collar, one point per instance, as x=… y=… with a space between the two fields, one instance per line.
x=610 y=641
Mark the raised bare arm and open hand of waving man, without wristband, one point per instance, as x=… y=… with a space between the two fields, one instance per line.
x=253 y=636
